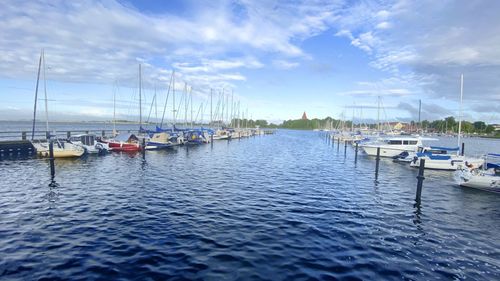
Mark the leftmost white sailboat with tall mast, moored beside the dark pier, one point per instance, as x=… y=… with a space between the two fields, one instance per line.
x=61 y=149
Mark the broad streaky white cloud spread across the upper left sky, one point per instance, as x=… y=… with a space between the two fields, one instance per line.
x=101 y=41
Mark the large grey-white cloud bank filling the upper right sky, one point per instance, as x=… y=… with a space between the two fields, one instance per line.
x=432 y=43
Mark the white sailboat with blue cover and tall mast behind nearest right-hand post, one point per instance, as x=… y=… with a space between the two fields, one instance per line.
x=449 y=161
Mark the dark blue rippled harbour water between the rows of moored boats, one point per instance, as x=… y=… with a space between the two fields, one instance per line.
x=280 y=207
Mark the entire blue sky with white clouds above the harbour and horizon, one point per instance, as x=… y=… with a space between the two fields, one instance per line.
x=276 y=59
